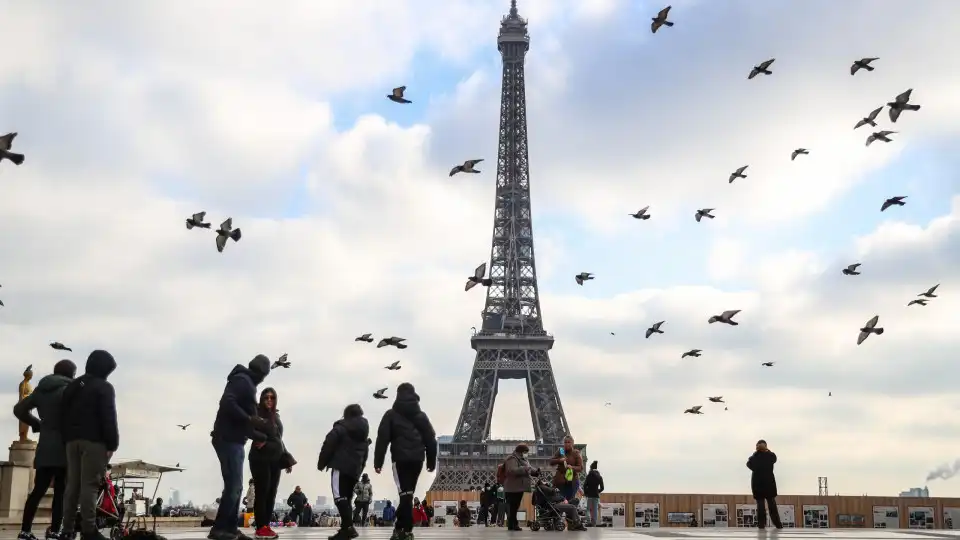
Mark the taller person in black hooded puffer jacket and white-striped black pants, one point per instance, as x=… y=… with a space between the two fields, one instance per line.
x=408 y=432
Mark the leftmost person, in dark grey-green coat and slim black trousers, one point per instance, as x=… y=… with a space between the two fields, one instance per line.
x=50 y=460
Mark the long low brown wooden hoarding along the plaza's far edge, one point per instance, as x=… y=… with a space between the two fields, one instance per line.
x=836 y=504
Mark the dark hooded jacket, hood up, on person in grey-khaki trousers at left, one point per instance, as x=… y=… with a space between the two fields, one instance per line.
x=89 y=404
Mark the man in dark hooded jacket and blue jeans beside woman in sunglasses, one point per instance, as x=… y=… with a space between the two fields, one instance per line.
x=236 y=418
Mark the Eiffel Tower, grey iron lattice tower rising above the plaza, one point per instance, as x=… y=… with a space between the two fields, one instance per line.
x=511 y=343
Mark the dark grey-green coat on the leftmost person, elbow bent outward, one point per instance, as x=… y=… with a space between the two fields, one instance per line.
x=46 y=399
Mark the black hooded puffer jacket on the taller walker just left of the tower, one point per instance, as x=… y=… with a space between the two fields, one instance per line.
x=407 y=431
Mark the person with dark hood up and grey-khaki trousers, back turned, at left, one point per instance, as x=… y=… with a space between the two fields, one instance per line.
x=91 y=435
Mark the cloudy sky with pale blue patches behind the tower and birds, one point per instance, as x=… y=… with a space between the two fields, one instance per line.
x=134 y=116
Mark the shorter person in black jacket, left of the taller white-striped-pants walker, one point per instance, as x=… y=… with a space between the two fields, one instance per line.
x=344 y=452
